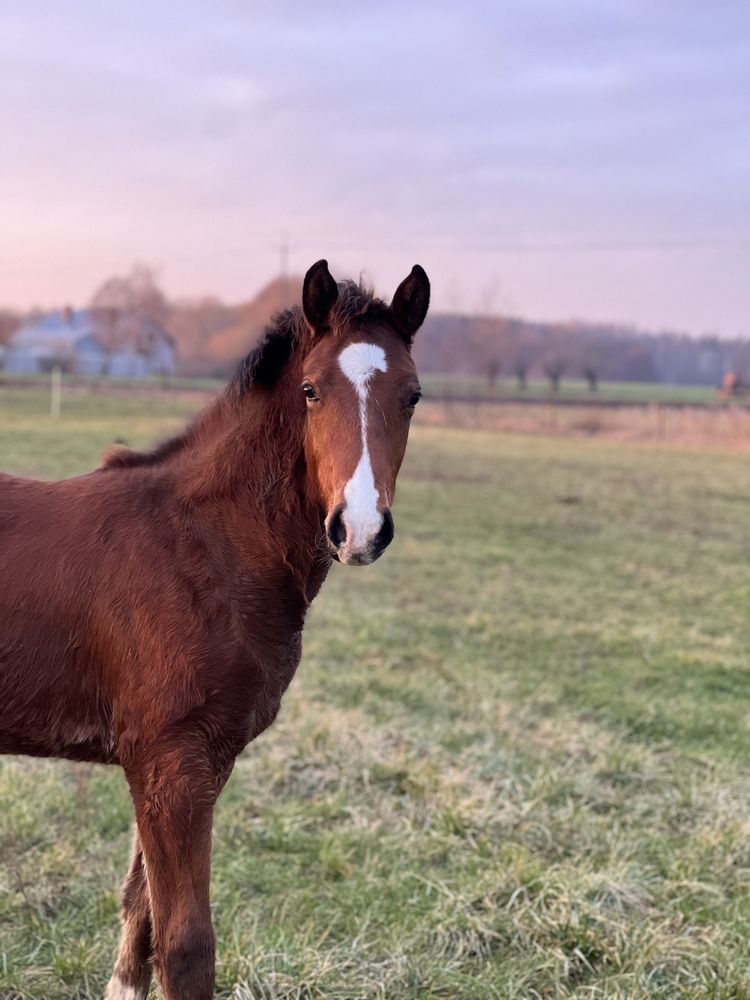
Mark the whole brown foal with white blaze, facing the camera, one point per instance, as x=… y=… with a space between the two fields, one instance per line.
x=151 y=612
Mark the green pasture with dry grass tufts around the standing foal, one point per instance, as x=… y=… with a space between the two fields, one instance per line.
x=514 y=763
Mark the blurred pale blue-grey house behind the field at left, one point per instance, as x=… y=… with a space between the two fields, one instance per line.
x=90 y=342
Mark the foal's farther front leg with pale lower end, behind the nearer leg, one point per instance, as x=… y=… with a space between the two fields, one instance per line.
x=132 y=973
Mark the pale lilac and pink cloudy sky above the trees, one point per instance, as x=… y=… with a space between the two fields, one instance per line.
x=552 y=158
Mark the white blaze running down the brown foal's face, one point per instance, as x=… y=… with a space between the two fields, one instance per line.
x=359 y=362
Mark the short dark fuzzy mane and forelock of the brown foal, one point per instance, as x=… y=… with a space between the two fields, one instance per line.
x=262 y=366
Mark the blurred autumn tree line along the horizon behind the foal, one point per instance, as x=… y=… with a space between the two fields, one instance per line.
x=212 y=336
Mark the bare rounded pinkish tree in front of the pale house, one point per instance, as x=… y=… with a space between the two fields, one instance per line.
x=125 y=308
